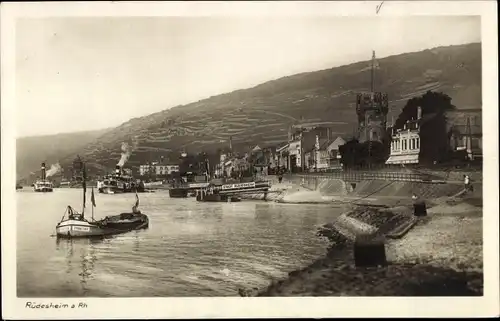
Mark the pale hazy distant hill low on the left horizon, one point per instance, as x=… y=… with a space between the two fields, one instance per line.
x=31 y=151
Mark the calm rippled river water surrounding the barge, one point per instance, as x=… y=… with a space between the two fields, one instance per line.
x=190 y=248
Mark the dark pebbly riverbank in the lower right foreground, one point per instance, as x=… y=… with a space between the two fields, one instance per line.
x=441 y=255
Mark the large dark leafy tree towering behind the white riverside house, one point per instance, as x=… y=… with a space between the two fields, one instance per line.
x=434 y=136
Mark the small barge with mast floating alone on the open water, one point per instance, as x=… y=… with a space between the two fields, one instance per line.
x=75 y=225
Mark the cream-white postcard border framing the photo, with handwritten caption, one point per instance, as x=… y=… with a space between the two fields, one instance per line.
x=15 y=308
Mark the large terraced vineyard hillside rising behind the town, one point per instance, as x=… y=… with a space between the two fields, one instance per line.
x=261 y=115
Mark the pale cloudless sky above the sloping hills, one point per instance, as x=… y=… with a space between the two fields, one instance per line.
x=85 y=73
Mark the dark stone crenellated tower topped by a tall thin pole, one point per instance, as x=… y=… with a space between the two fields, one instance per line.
x=372 y=109
